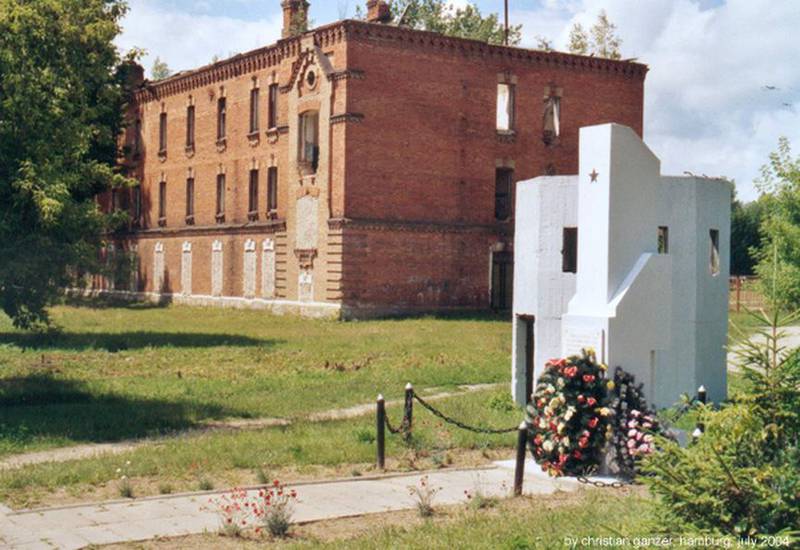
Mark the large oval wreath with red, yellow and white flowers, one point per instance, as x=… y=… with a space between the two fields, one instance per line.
x=567 y=416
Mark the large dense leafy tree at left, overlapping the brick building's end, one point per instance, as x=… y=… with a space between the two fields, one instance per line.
x=62 y=91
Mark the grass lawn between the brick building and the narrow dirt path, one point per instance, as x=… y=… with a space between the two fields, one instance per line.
x=132 y=372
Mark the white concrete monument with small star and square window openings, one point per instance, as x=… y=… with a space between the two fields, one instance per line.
x=626 y=261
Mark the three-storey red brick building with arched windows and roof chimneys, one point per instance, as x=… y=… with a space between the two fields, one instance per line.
x=355 y=169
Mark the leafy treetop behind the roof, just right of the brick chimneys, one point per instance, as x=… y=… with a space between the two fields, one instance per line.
x=467 y=22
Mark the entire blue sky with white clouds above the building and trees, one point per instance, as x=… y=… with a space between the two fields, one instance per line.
x=724 y=82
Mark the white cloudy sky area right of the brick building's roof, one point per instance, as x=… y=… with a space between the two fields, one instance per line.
x=706 y=109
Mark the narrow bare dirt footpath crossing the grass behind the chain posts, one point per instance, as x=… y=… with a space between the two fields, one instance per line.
x=80 y=452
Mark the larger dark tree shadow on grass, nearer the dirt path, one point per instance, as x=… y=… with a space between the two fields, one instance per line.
x=45 y=407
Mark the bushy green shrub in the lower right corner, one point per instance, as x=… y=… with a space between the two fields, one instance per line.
x=730 y=480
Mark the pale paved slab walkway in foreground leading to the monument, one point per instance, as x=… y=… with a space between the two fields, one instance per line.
x=74 y=527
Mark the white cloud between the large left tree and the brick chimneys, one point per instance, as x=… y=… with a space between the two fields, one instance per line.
x=187 y=41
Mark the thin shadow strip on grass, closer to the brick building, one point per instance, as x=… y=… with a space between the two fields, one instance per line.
x=116 y=342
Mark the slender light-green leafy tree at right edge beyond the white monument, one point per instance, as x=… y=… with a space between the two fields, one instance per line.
x=779 y=256
